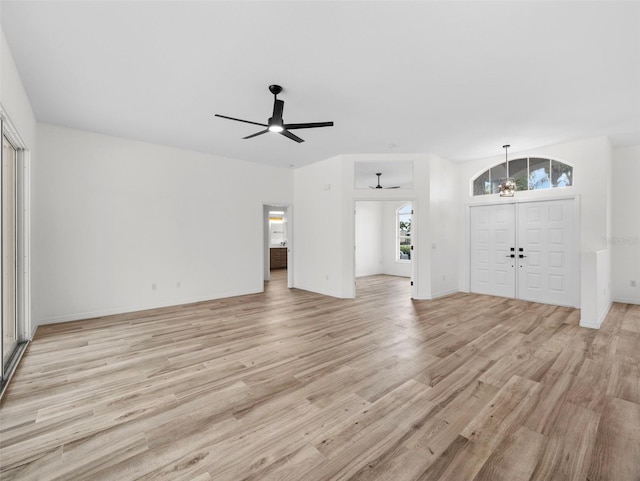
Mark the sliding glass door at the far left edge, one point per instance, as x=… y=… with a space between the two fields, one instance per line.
x=9 y=253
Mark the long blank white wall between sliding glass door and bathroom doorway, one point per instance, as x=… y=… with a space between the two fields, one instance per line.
x=112 y=217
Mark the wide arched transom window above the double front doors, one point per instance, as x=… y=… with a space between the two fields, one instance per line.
x=530 y=173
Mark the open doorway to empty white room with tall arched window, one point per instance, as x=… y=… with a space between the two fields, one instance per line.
x=383 y=242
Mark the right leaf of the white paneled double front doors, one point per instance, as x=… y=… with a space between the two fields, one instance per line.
x=546 y=252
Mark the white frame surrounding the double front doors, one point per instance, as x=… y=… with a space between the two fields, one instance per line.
x=513 y=200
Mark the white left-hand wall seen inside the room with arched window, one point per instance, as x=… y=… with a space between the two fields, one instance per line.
x=369 y=233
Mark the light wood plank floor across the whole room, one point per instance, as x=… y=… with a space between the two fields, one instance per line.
x=291 y=385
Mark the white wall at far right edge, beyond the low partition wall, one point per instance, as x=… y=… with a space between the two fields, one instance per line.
x=625 y=236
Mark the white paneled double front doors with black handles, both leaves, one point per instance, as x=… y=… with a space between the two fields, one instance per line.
x=525 y=251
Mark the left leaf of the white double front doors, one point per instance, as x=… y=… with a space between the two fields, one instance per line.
x=493 y=263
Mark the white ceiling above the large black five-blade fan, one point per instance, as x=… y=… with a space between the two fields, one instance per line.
x=457 y=79
